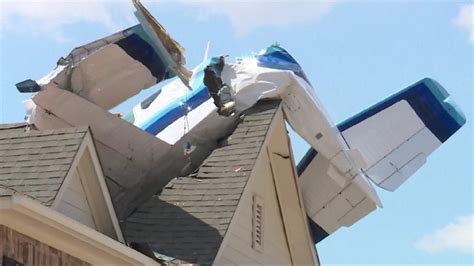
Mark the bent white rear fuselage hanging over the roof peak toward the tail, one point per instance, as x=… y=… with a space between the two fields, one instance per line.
x=303 y=111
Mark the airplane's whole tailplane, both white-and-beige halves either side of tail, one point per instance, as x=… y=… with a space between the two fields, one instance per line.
x=394 y=137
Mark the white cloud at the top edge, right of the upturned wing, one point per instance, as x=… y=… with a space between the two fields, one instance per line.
x=246 y=16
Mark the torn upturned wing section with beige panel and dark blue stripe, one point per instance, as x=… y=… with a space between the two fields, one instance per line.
x=112 y=69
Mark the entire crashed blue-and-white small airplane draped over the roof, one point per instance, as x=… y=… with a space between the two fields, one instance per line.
x=175 y=129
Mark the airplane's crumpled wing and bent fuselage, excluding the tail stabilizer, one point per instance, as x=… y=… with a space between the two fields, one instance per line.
x=190 y=113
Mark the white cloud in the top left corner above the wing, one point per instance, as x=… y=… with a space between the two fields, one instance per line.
x=49 y=17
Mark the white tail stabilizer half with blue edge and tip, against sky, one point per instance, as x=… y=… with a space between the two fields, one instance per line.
x=396 y=135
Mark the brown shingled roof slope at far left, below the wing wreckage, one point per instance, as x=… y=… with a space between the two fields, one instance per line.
x=34 y=162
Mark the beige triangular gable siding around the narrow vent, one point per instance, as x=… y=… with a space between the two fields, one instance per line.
x=238 y=247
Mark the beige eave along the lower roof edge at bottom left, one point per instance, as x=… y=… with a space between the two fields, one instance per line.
x=31 y=218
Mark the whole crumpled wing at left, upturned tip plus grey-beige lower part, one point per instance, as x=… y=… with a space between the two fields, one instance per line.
x=100 y=75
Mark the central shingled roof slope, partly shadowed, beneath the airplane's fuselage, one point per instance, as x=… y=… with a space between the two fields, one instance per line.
x=188 y=219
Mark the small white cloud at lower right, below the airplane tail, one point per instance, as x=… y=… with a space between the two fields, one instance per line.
x=456 y=236
